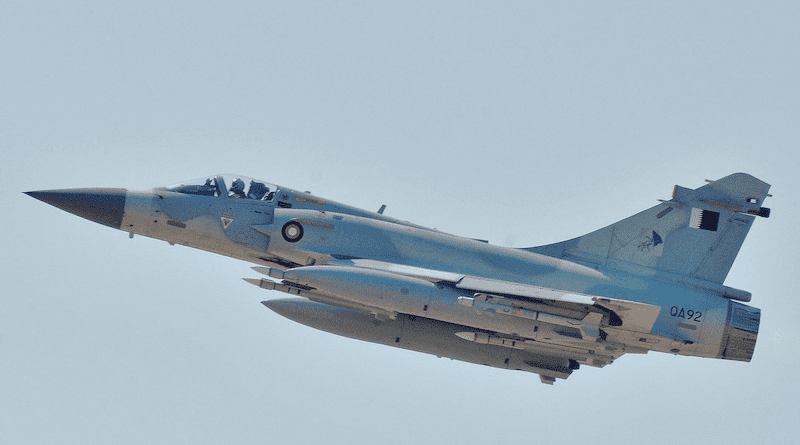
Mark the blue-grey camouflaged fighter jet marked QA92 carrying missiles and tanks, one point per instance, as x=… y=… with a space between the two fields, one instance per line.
x=651 y=282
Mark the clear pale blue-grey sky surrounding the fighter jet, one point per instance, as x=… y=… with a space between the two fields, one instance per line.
x=524 y=123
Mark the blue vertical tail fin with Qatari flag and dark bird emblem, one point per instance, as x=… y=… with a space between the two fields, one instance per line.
x=697 y=233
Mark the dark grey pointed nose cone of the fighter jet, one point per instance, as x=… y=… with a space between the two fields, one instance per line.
x=101 y=205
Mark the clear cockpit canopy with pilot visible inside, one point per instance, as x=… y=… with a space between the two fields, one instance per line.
x=229 y=185
